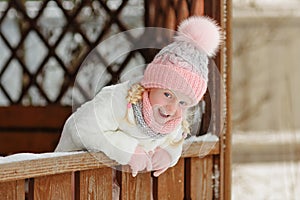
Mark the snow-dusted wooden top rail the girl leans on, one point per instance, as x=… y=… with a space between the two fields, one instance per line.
x=77 y=162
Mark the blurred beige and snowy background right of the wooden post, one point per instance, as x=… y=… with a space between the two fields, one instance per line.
x=265 y=99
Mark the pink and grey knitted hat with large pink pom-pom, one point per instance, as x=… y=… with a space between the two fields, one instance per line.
x=182 y=65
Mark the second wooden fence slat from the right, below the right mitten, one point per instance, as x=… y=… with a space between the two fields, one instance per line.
x=170 y=184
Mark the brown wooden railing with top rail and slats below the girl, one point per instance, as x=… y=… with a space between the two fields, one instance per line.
x=90 y=176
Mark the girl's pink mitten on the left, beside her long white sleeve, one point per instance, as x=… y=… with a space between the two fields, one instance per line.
x=139 y=161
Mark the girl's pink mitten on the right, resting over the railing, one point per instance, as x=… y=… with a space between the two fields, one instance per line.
x=161 y=161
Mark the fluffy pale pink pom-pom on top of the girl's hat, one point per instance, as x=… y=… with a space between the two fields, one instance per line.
x=202 y=31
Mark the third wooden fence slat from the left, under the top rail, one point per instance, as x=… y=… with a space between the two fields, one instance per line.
x=95 y=184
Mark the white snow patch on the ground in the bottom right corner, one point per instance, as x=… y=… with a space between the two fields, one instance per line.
x=271 y=181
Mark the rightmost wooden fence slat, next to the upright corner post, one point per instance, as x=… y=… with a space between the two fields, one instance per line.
x=201 y=178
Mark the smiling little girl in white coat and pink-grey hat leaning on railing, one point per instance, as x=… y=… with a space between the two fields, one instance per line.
x=143 y=125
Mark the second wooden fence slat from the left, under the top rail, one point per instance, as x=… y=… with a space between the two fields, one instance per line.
x=53 y=187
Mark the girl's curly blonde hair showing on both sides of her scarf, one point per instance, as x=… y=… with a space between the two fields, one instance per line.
x=135 y=94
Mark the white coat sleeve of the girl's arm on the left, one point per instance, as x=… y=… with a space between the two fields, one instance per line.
x=94 y=127
